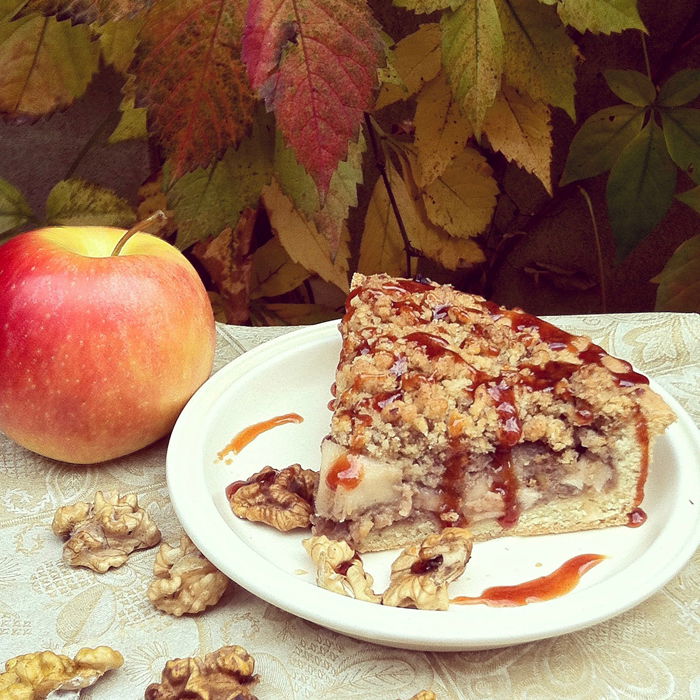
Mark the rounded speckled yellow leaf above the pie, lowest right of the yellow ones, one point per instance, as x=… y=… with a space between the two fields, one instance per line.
x=463 y=198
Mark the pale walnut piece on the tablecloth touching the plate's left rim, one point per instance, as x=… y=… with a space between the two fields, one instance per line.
x=186 y=582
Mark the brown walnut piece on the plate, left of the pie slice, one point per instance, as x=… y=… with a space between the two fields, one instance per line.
x=283 y=499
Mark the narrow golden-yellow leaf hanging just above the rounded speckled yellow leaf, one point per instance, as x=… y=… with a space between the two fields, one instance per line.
x=441 y=129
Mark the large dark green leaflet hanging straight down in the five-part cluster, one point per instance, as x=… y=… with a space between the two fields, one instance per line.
x=640 y=188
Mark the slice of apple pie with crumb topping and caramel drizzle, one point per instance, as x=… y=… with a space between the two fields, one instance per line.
x=450 y=410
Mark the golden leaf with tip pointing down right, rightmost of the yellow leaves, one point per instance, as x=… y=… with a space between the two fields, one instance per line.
x=519 y=127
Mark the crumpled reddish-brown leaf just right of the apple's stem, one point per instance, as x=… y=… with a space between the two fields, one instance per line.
x=228 y=260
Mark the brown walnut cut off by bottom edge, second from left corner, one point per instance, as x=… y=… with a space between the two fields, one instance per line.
x=225 y=674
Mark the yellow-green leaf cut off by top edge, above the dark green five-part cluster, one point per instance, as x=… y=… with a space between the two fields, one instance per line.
x=600 y=16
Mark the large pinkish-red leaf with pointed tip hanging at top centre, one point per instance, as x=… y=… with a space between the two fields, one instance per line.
x=315 y=62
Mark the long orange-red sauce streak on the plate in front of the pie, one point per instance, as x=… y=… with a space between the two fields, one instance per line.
x=554 y=585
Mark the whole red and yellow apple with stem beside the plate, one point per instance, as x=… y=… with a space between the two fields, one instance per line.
x=98 y=352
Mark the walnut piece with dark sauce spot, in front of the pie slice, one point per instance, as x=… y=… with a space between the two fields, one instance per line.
x=421 y=574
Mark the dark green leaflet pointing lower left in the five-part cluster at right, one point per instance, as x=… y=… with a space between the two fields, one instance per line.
x=600 y=140
